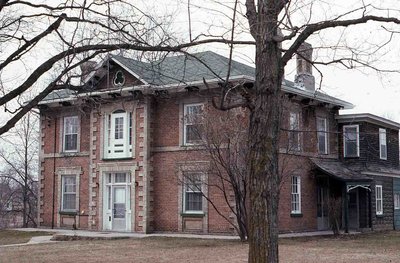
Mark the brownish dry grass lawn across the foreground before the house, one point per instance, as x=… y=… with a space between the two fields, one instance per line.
x=376 y=247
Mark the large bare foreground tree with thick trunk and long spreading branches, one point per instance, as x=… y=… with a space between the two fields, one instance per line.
x=266 y=19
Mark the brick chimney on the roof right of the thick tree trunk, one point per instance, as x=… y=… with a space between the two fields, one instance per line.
x=304 y=78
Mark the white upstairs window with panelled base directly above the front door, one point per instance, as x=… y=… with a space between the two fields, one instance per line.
x=118 y=135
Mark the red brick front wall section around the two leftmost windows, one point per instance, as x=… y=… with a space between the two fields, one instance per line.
x=50 y=128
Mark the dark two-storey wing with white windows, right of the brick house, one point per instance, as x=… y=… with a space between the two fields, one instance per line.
x=370 y=148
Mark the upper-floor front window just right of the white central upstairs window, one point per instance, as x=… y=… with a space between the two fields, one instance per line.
x=193 y=123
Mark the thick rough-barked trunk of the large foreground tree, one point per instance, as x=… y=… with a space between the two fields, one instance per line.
x=264 y=134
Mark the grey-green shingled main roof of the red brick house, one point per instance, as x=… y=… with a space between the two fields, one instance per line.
x=184 y=69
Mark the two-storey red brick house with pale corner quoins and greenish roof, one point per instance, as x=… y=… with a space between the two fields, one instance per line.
x=113 y=155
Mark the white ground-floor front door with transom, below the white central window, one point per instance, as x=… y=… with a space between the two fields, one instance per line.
x=117 y=211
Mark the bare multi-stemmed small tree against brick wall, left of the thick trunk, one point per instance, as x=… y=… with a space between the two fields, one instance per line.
x=223 y=138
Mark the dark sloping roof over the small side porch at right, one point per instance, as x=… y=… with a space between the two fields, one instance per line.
x=339 y=171
